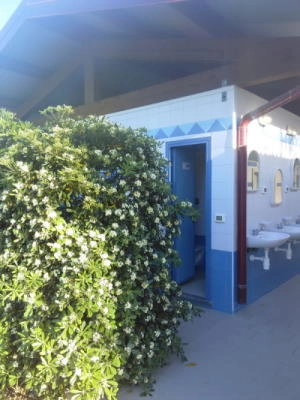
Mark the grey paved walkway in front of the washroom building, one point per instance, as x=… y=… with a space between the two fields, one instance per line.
x=251 y=355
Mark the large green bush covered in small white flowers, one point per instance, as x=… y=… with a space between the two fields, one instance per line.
x=87 y=228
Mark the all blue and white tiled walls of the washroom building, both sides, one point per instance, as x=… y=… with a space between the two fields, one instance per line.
x=211 y=117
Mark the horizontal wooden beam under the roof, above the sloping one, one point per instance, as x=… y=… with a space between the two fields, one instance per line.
x=194 y=49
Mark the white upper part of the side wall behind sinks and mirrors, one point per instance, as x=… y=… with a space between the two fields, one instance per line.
x=276 y=151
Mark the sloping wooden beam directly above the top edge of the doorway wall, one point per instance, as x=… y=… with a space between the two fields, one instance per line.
x=237 y=73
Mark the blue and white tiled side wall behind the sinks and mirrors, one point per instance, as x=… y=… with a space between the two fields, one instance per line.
x=276 y=150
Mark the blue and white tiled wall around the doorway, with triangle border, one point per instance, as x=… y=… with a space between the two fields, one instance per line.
x=206 y=117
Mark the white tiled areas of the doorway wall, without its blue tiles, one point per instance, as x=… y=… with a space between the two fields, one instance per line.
x=200 y=107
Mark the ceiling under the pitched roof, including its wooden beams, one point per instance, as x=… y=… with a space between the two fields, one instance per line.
x=142 y=51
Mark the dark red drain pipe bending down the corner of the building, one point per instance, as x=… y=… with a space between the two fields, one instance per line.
x=279 y=101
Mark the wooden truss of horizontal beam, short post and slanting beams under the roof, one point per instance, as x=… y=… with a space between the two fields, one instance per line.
x=243 y=62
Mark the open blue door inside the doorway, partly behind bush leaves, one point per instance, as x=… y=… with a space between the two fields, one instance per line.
x=183 y=183
